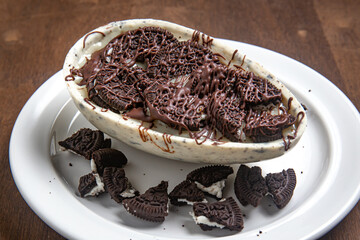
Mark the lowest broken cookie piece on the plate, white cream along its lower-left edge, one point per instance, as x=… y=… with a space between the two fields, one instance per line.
x=222 y=214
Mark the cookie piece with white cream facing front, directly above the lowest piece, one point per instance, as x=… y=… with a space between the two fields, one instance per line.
x=211 y=179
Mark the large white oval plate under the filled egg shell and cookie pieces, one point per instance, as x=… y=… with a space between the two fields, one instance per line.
x=325 y=161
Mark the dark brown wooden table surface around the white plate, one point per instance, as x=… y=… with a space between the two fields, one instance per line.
x=36 y=35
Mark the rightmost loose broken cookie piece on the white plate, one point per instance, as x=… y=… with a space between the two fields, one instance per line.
x=281 y=186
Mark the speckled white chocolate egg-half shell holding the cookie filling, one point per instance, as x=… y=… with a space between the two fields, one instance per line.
x=162 y=140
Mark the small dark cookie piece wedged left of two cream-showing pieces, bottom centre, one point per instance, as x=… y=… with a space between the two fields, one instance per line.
x=185 y=193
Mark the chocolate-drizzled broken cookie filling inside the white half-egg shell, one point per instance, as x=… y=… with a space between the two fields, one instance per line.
x=148 y=74
